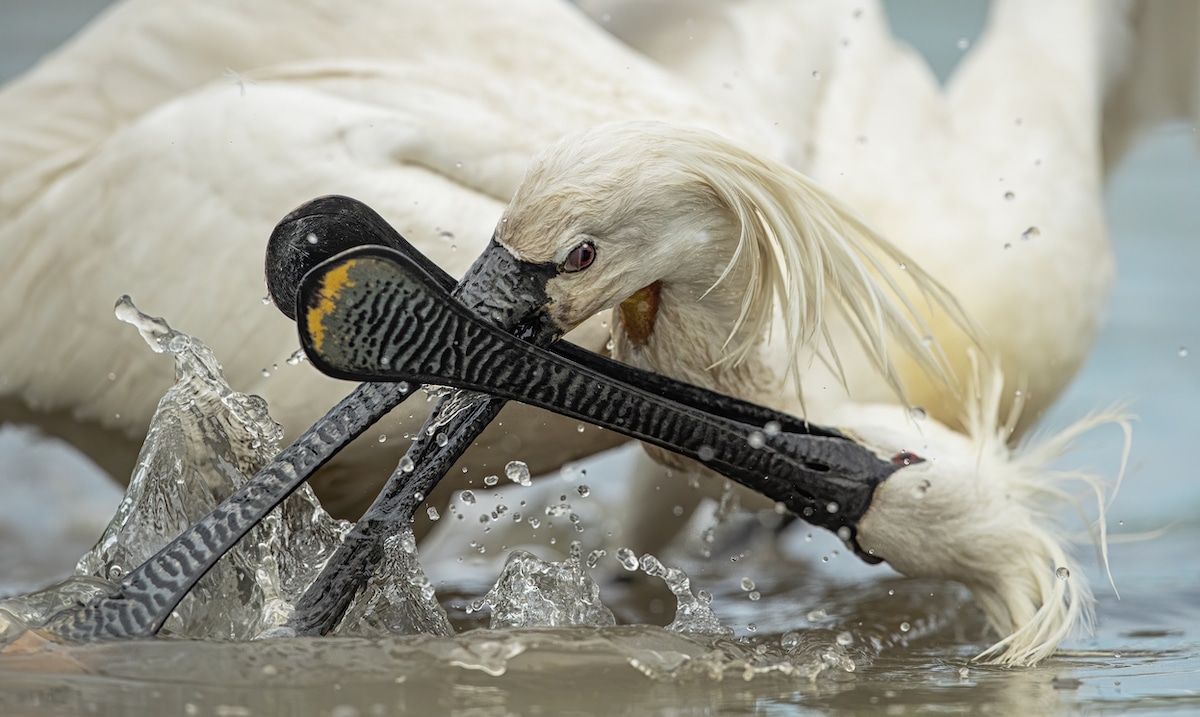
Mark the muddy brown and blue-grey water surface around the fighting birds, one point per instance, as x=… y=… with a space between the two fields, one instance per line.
x=910 y=641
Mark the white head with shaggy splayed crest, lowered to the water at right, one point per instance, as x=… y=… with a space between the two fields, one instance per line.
x=970 y=508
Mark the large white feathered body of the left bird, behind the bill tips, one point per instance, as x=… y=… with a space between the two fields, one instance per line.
x=135 y=161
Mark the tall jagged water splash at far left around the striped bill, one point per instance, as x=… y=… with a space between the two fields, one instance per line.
x=205 y=441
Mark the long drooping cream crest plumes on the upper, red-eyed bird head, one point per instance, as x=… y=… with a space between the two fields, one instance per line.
x=800 y=245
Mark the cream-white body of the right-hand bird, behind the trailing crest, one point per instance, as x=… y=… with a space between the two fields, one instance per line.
x=994 y=184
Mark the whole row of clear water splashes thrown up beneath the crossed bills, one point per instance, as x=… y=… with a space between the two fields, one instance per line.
x=206 y=439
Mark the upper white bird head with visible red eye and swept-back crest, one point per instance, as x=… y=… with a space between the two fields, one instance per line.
x=643 y=212
